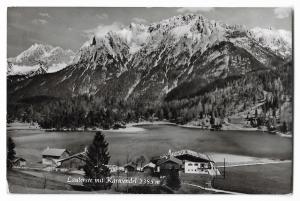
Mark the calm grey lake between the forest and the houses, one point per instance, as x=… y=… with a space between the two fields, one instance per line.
x=156 y=140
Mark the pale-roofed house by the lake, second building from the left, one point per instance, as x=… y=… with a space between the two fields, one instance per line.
x=50 y=156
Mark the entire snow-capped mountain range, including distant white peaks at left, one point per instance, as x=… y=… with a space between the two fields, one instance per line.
x=172 y=59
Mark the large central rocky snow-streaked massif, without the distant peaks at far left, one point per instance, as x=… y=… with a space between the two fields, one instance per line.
x=107 y=65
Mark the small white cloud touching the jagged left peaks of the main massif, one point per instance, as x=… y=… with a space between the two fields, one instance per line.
x=101 y=30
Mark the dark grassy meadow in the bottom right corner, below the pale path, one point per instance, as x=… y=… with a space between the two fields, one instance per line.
x=257 y=179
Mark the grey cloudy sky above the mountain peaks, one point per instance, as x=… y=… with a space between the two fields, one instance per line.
x=70 y=27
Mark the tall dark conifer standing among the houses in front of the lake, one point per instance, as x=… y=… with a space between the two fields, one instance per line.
x=97 y=158
